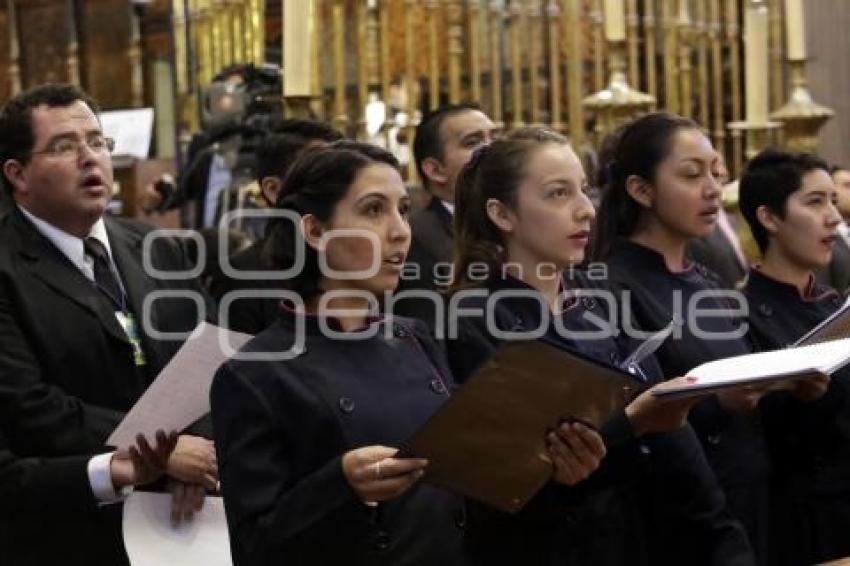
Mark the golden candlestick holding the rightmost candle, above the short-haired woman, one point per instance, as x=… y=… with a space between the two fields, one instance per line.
x=802 y=117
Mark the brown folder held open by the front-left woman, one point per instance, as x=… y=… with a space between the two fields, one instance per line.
x=488 y=441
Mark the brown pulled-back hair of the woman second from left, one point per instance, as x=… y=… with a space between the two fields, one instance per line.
x=494 y=172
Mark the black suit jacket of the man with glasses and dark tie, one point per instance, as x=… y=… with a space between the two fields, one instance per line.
x=66 y=367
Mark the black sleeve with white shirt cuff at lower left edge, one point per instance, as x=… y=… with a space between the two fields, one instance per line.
x=31 y=485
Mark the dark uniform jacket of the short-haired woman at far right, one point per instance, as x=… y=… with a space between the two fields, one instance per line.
x=809 y=442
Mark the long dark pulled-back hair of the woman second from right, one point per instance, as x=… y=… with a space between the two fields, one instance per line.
x=637 y=148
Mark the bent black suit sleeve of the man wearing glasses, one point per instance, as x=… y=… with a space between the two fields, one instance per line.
x=51 y=421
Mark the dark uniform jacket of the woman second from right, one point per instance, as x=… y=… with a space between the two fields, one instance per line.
x=651 y=296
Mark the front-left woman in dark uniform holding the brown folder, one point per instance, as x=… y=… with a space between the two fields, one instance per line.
x=307 y=432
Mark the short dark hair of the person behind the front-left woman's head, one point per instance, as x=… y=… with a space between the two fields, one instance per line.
x=277 y=151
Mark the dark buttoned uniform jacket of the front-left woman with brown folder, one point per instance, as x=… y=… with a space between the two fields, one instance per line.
x=283 y=426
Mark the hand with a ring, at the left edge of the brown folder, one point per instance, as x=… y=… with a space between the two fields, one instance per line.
x=375 y=475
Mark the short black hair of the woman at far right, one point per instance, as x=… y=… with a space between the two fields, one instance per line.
x=768 y=180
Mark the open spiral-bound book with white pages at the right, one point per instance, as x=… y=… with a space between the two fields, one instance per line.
x=789 y=364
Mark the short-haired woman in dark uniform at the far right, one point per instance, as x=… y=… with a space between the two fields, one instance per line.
x=788 y=200
